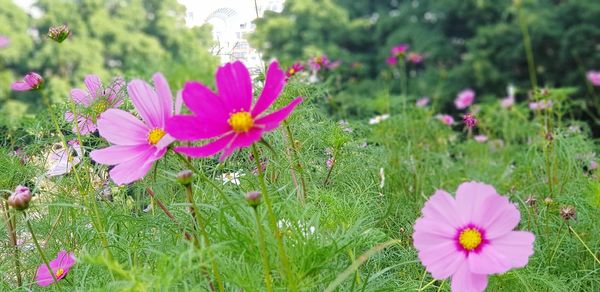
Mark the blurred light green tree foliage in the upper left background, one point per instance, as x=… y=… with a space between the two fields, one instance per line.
x=132 y=38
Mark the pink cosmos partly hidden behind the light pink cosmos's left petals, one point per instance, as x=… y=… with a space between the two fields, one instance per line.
x=95 y=101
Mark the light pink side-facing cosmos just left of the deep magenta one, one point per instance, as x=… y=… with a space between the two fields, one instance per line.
x=137 y=144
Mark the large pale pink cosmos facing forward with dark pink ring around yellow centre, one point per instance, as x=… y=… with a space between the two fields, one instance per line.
x=471 y=236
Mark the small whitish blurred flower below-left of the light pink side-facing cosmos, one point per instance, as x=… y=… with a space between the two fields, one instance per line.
x=61 y=161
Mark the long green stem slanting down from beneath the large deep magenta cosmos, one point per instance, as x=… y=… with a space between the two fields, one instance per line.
x=273 y=222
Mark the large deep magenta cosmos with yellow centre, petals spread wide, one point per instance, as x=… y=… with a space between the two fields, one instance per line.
x=229 y=116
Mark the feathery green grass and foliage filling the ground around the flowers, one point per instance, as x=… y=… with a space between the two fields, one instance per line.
x=349 y=234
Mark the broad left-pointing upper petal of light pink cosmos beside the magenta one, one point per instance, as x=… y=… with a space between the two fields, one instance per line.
x=122 y=128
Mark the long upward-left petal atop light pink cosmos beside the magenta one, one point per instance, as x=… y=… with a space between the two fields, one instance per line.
x=148 y=104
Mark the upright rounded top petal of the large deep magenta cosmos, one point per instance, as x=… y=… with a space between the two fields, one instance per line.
x=235 y=86
